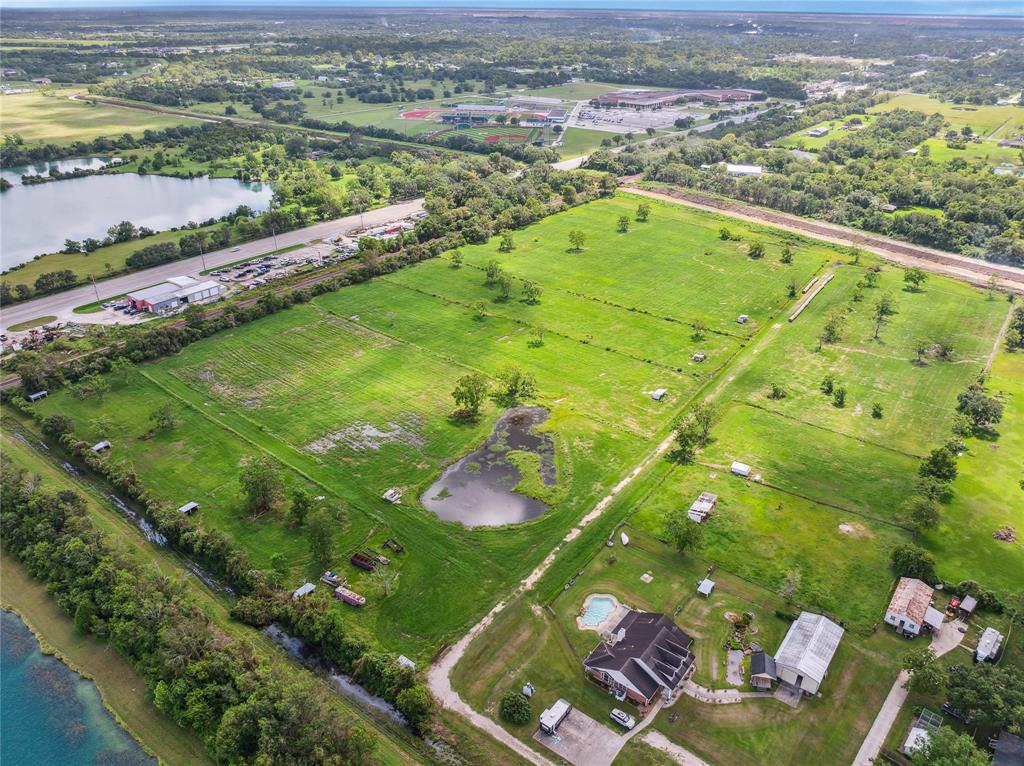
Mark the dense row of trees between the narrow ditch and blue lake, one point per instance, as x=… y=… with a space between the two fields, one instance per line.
x=246 y=710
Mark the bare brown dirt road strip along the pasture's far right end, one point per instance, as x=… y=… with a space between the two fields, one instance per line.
x=959 y=267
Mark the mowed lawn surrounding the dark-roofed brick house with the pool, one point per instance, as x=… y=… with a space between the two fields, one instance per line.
x=542 y=645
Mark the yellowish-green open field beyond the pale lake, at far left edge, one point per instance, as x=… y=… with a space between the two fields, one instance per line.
x=57 y=119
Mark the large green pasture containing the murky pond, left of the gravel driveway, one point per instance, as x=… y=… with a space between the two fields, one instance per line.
x=396 y=365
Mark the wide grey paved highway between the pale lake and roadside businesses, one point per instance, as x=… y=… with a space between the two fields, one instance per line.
x=63 y=305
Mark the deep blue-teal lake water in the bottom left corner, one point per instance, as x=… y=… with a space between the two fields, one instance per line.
x=53 y=716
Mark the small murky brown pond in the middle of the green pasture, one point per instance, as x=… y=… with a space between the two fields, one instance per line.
x=480 y=490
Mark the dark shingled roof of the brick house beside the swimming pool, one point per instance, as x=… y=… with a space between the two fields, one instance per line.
x=651 y=642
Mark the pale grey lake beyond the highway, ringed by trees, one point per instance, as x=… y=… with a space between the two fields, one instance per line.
x=37 y=220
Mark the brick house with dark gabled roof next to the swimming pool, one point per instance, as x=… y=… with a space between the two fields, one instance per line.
x=646 y=655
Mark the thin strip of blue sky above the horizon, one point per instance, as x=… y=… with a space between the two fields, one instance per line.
x=888 y=8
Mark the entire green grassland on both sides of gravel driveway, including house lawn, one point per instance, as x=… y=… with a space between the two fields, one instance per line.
x=308 y=385
